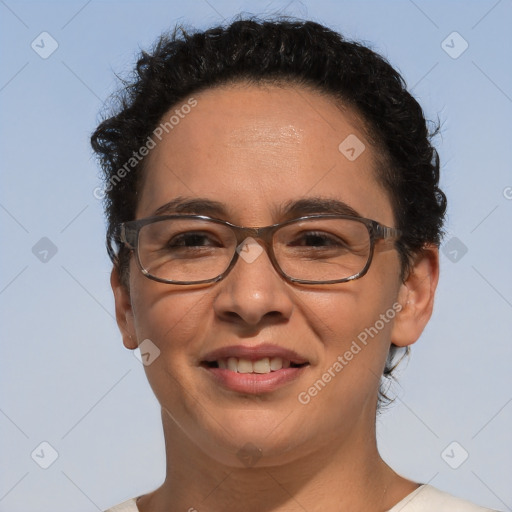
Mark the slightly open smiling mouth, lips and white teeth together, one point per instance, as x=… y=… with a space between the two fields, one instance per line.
x=253 y=370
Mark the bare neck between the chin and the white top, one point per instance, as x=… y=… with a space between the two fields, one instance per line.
x=346 y=474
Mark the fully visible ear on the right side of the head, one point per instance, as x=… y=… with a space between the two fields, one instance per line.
x=416 y=296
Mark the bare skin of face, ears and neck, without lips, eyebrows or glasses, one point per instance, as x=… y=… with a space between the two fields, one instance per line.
x=254 y=148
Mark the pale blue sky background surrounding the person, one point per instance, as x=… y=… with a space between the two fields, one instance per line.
x=65 y=377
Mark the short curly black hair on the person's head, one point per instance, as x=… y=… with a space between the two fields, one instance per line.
x=280 y=51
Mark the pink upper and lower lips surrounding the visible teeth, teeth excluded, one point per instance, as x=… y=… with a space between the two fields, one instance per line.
x=254 y=383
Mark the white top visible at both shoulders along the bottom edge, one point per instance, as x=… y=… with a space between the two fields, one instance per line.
x=424 y=499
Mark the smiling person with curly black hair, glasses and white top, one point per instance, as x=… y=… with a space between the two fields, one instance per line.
x=274 y=222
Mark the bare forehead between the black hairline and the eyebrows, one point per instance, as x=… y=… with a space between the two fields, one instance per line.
x=254 y=148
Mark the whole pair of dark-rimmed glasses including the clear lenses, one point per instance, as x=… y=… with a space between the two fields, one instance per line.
x=195 y=249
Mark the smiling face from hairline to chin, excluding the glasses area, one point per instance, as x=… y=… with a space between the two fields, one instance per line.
x=256 y=150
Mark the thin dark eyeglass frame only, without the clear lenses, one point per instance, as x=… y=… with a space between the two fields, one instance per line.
x=129 y=236
